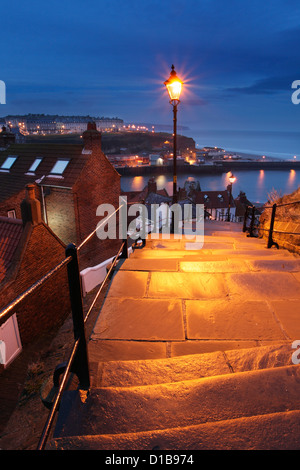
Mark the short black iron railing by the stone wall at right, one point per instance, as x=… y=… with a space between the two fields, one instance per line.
x=252 y=226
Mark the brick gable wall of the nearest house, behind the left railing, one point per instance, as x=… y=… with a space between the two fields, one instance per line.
x=49 y=305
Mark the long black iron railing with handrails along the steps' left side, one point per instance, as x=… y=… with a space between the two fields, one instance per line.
x=78 y=358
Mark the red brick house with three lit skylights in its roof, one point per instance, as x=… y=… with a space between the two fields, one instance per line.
x=71 y=182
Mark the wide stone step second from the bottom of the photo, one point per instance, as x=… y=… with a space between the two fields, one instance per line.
x=120 y=410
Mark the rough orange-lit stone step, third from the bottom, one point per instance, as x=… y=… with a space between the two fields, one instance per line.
x=182 y=368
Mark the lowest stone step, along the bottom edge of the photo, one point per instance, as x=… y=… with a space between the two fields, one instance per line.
x=275 y=431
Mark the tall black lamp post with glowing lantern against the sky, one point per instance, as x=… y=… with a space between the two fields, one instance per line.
x=174 y=87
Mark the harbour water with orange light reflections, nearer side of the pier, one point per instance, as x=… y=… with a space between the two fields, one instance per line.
x=257 y=184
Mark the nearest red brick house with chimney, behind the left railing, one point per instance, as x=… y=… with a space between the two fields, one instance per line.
x=28 y=250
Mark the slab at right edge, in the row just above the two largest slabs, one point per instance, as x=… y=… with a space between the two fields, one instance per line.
x=265 y=285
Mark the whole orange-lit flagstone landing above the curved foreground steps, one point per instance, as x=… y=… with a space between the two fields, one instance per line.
x=172 y=298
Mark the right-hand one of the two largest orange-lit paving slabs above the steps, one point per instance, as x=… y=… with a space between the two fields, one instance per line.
x=228 y=320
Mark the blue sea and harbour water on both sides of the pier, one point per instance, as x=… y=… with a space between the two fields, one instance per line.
x=257 y=184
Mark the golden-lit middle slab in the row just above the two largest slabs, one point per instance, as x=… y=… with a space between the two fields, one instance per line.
x=186 y=285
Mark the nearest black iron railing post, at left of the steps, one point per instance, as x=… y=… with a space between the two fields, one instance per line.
x=80 y=364
